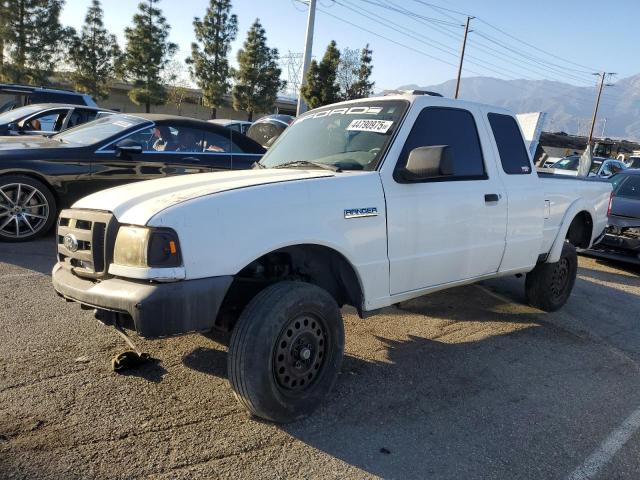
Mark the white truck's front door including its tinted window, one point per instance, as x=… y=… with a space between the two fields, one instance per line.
x=445 y=229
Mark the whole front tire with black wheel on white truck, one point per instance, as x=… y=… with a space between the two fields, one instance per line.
x=286 y=351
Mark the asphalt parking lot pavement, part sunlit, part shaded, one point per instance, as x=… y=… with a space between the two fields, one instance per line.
x=468 y=383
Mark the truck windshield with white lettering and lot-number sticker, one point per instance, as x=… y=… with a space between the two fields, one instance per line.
x=349 y=136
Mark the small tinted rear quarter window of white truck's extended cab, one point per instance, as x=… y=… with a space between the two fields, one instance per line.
x=513 y=154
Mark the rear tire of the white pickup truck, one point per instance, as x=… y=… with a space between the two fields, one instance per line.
x=549 y=285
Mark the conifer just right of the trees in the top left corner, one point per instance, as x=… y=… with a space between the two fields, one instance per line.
x=93 y=55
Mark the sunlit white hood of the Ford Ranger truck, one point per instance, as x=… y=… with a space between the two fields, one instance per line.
x=136 y=203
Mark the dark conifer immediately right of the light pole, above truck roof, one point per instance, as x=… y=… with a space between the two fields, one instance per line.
x=321 y=87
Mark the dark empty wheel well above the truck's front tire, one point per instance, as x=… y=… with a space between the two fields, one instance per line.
x=314 y=264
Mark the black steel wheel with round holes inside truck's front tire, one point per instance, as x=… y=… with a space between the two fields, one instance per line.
x=300 y=353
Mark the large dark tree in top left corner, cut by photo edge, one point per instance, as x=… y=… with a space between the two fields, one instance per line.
x=32 y=39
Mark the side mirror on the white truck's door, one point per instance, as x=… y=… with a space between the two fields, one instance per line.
x=428 y=162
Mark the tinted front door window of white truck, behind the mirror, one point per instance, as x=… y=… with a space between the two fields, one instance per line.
x=454 y=128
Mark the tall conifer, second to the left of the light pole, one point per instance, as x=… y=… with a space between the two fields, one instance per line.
x=209 y=65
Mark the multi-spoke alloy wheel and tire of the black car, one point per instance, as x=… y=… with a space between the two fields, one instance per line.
x=27 y=208
